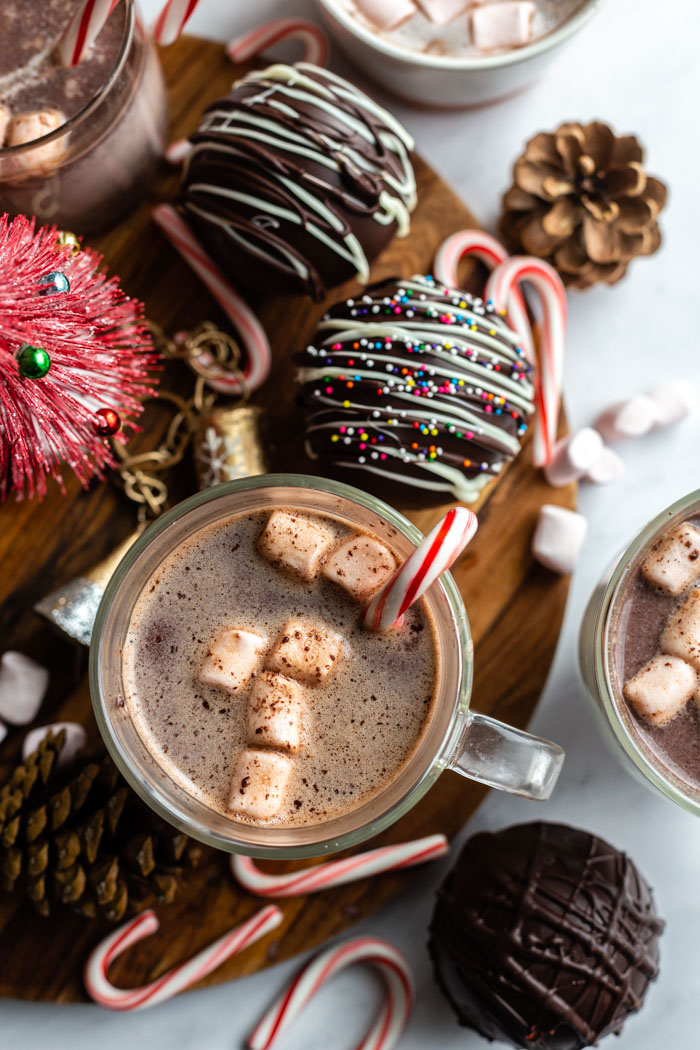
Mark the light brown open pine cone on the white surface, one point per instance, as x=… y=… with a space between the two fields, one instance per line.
x=582 y=201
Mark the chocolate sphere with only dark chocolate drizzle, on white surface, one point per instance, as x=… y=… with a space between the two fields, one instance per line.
x=544 y=937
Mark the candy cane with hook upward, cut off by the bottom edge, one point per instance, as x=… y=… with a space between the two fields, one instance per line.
x=393 y=1018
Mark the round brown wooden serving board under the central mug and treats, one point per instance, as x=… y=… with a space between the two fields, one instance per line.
x=516 y=607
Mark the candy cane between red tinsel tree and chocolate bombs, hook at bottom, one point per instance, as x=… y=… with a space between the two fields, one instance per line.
x=247 y=325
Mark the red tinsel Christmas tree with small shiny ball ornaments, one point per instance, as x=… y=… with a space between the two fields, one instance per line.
x=75 y=360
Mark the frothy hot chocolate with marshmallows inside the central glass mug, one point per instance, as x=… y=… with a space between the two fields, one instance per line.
x=254 y=685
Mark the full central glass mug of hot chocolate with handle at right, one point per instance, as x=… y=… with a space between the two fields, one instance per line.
x=242 y=698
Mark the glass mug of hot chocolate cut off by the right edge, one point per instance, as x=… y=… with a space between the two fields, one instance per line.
x=640 y=653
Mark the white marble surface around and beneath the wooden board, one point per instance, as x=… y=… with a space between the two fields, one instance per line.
x=635 y=67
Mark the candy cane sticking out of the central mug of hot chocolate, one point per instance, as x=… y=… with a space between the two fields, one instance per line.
x=432 y=558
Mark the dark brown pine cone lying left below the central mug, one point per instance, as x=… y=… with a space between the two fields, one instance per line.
x=81 y=837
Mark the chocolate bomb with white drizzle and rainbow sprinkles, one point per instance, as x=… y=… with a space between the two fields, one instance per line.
x=418 y=391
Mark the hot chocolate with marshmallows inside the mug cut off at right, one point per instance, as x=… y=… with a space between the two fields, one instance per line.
x=656 y=652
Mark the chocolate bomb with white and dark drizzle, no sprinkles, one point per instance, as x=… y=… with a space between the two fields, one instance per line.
x=298 y=180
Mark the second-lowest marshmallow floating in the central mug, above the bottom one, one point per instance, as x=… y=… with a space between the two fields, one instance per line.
x=274 y=712
